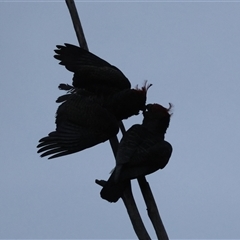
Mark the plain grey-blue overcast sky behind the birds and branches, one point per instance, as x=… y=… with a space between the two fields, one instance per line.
x=189 y=51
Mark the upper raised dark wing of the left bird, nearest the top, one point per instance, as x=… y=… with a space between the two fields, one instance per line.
x=91 y=72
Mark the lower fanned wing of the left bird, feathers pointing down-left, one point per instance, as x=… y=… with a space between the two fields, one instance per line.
x=81 y=122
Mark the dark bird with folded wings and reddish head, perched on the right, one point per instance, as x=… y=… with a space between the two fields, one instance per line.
x=142 y=151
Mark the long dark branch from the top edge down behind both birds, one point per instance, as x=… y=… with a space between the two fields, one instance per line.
x=128 y=199
